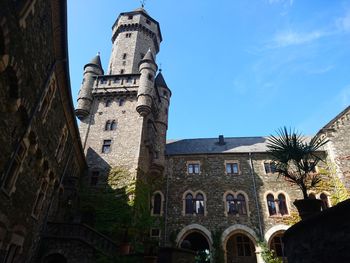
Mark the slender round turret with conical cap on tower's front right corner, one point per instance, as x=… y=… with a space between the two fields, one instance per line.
x=148 y=69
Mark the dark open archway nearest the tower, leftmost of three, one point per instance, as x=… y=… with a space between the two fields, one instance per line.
x=198 y=242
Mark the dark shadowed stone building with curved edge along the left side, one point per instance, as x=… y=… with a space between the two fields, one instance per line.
x=41 y=157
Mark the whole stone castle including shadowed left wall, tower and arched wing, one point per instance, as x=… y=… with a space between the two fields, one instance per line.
x=211 y=192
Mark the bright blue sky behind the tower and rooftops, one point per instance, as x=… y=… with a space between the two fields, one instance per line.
x=237 y=68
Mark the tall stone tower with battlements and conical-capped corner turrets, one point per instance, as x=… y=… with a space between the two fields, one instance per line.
x=124 y=114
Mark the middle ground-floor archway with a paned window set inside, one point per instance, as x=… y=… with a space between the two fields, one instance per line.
x=240 y=249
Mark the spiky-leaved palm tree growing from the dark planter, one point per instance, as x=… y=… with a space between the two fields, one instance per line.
x=296 y=158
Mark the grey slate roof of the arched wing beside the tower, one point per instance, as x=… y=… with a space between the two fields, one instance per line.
x=212 y=146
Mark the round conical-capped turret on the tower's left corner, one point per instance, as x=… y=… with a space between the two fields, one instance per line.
x=91 y=70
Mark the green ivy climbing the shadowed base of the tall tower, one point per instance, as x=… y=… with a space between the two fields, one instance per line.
x=121 y=207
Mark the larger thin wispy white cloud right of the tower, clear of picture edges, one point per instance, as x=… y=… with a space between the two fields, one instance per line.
x=290 y=38
